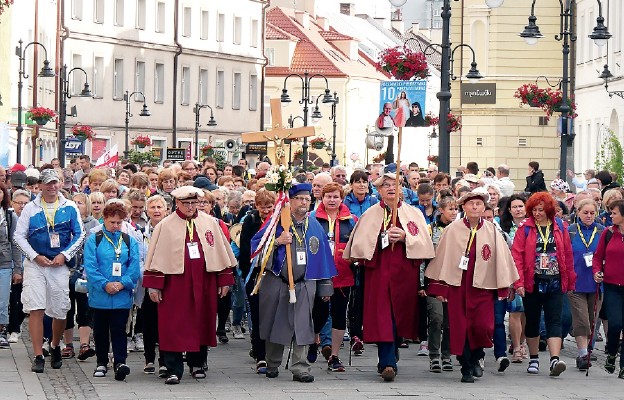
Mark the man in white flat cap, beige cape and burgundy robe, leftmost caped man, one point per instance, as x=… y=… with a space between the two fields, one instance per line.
x=188 y=267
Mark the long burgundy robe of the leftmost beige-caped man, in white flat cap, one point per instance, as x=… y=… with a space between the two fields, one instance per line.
x=188 y=310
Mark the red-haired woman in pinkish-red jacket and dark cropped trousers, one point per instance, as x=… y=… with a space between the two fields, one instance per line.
x=543 y=255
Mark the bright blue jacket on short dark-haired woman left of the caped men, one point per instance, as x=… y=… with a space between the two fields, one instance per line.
x=98 y=264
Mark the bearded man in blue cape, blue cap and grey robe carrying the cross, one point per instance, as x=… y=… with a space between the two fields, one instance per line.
x=282 y=322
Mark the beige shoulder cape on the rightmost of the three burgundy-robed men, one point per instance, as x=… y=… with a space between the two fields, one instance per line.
x=494 y=267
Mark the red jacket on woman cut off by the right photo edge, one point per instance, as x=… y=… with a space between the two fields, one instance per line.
x=608 y=259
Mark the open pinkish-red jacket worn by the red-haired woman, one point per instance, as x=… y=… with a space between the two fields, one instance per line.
x=524 y=253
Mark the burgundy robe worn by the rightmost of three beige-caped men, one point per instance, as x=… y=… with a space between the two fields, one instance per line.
x=470 y=309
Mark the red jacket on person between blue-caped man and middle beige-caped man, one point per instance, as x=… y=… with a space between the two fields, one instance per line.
x=342 y=231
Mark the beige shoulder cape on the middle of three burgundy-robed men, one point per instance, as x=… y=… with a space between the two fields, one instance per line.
x=363 y=240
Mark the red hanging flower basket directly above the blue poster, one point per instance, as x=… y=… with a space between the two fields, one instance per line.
x=403 y=63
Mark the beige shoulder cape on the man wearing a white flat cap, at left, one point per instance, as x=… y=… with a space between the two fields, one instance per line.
x=166 y=249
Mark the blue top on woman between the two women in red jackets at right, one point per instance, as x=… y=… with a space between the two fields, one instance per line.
x=584 y=275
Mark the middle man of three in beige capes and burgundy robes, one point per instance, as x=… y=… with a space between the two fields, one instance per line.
x=391 y=255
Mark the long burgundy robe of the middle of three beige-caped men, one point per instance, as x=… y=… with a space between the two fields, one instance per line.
x=391 y=284
